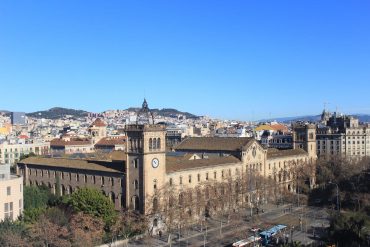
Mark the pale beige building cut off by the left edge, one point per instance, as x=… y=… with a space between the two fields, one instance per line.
x=11 y=194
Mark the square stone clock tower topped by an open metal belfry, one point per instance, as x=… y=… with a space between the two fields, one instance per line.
x=146 y=159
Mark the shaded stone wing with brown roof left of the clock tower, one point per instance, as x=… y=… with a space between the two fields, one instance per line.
x=63 y=176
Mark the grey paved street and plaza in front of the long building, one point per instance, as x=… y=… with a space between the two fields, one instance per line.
x=306 y=224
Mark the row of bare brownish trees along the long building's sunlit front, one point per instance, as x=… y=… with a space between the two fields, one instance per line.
x=179 y=207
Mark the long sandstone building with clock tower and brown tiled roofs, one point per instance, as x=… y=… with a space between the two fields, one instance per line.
x=146 y=168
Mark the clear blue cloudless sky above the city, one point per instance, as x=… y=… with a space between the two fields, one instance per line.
x=230 y=59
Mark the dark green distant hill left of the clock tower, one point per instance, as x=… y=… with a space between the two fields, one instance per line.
x=57 y=112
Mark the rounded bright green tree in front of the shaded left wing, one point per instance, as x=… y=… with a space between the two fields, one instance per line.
x=92 y=202
